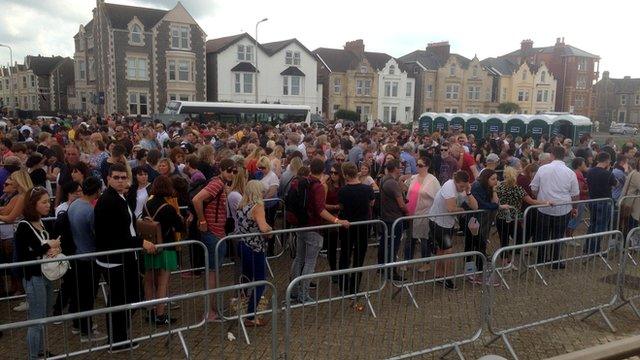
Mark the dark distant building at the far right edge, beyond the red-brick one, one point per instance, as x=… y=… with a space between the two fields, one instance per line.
x=617 y=100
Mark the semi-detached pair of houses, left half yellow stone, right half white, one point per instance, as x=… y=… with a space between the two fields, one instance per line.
x=373 y=84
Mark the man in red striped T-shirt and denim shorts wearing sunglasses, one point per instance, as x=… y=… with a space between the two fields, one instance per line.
x=210 y=205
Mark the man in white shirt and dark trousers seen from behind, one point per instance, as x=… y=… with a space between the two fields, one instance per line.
x=555 y=183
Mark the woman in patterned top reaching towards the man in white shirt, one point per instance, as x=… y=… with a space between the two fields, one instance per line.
x=512 y=194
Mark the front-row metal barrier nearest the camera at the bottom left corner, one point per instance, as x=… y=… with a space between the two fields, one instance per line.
x=66 y=348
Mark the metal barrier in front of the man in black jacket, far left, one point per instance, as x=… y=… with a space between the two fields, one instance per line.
x=84 y=274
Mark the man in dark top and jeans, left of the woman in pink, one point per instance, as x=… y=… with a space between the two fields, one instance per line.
x=392 y=206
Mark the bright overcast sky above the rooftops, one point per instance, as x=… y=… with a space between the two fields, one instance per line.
x=486 y=28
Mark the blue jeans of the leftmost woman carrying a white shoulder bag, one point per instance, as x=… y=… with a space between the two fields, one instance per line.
x=39 y=292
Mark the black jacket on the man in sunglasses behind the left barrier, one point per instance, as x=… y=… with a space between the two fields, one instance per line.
x=113 y=217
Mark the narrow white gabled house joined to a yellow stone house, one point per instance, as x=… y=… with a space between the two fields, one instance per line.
x=395 y=94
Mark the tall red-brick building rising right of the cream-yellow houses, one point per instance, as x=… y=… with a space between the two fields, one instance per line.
x=575 y=71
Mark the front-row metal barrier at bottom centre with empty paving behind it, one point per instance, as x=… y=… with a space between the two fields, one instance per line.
x=332 y=325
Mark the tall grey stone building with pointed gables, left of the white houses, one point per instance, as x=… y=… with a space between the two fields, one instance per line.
x=133 y=60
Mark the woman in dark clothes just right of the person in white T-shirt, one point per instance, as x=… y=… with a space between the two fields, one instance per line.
x=483 y=190
